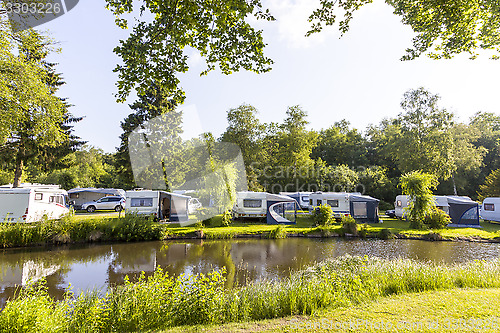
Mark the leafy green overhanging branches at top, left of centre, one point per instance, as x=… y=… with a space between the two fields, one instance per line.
x=167 y=31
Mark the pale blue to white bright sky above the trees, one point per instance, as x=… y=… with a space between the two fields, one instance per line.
x=358 y=77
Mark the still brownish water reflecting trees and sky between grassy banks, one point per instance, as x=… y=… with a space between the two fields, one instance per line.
x=98 y=266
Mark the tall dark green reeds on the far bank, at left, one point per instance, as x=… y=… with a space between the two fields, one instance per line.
x=68 y=229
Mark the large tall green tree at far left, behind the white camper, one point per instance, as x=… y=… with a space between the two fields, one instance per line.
x=36 y=124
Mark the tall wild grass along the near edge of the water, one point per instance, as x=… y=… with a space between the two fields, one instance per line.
x=161 y=301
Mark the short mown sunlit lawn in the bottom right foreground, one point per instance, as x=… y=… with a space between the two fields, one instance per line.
x=455 y=310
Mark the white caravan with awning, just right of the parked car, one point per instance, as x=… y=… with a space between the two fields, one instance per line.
x=160 y=204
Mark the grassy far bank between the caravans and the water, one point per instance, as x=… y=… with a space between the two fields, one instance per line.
x=110 y=227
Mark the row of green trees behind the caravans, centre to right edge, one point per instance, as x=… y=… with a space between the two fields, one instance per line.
x=423 y=137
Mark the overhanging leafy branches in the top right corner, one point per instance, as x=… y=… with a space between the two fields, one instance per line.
x=443 y=28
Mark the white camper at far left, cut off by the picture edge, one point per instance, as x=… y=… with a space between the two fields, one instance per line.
x=32 y=203
